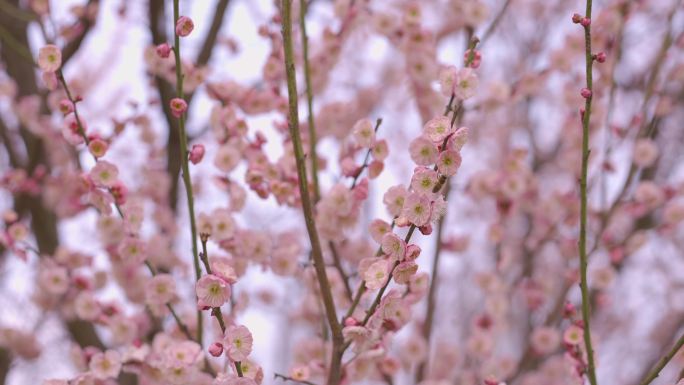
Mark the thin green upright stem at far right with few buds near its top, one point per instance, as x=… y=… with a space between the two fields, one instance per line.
x=586 y=115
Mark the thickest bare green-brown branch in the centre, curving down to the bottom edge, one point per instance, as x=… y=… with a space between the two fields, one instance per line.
x=335 y=373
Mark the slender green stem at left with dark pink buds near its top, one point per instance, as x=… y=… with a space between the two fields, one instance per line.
x=184 y=161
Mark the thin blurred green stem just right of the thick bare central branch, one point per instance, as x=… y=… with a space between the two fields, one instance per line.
x=309 y=102
